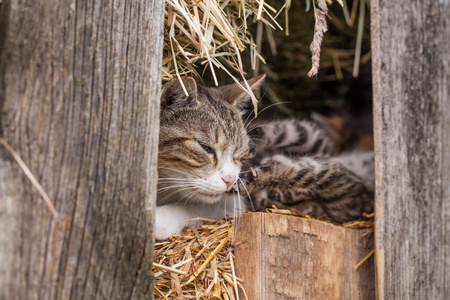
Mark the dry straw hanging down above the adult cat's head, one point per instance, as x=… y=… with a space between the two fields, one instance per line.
x=212 y=34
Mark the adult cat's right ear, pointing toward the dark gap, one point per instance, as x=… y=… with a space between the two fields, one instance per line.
x=236 y=96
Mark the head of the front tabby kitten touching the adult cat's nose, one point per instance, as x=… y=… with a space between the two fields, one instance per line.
x=272 y=184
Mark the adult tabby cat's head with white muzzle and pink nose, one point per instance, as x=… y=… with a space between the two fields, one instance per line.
x=202 y=141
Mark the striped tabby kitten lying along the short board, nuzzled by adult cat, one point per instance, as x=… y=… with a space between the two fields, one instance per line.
x=341 y=186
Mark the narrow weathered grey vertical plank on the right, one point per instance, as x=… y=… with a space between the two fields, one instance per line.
x=411 y=81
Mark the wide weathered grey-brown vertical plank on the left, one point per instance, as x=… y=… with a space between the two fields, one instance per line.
x=79 y=86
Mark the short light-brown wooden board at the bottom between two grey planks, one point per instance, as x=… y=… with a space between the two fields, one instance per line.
x=286 y=257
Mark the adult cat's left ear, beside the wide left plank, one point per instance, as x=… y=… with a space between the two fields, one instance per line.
x=173 y=94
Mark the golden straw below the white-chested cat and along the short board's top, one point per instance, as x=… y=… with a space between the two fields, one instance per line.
x=199 y=262
